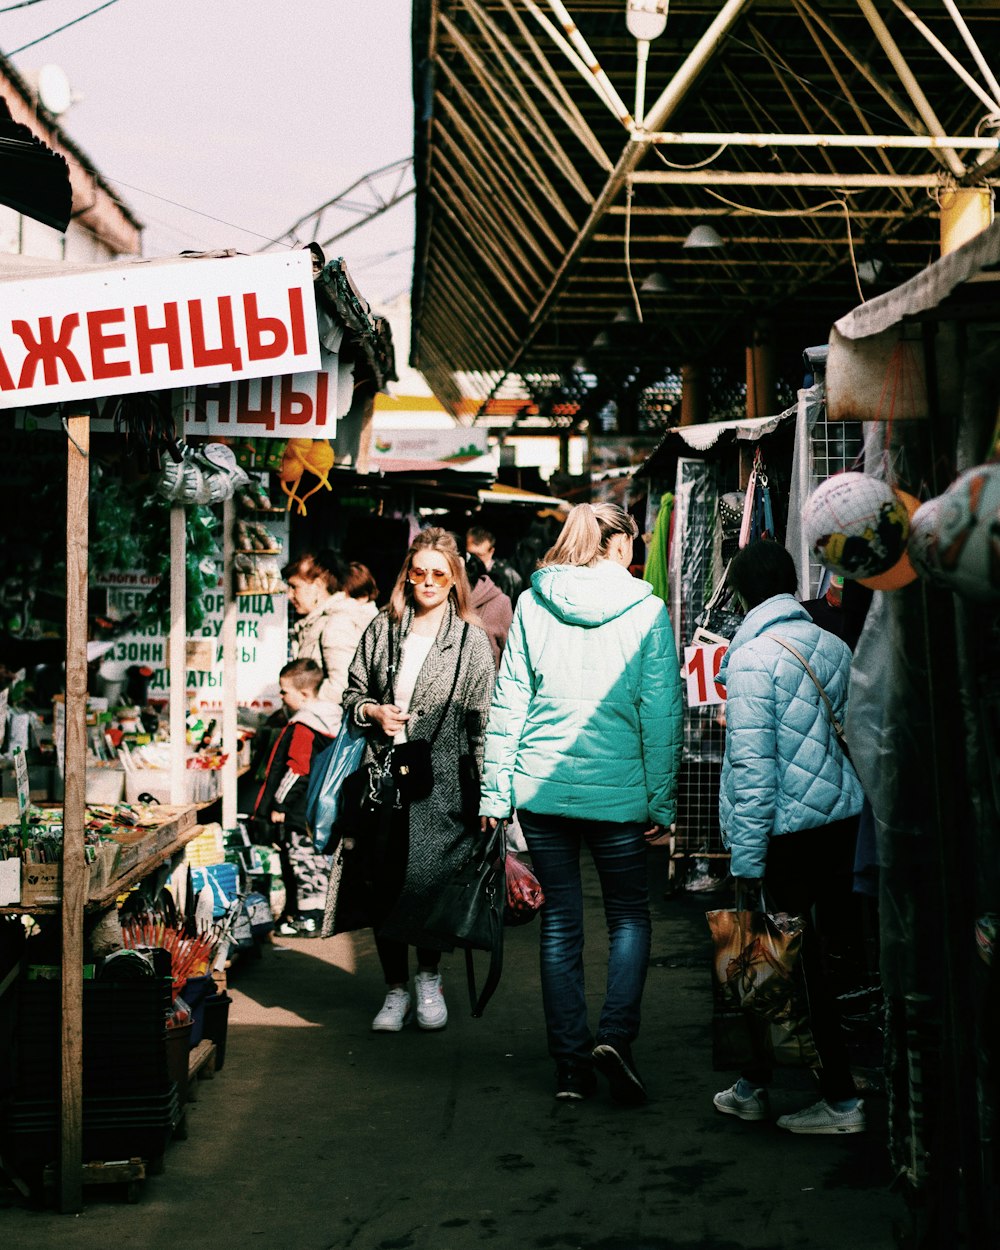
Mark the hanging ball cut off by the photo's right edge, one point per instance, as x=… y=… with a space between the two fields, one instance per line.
x=956 y=541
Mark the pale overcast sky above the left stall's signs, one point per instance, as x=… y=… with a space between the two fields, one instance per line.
x=223 y=122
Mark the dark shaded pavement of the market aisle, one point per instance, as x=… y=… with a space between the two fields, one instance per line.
x=322 y=1136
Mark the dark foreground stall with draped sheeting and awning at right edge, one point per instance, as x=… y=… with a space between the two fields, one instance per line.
x=922 y=364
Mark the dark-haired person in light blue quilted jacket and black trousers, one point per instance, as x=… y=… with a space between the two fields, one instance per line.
x=789 y=804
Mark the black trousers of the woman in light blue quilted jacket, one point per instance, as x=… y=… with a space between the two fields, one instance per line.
x=814 y=869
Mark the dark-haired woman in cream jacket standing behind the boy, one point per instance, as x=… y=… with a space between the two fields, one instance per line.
x=331 y=622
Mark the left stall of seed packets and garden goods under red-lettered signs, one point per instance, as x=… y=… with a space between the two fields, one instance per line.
x=134 y=392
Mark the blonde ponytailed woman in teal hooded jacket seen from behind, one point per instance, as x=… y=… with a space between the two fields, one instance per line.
x=584 y=741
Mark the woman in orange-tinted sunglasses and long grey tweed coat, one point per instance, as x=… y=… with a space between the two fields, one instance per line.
x=438 y=647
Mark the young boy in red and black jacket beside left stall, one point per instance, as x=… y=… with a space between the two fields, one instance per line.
x=281 y=802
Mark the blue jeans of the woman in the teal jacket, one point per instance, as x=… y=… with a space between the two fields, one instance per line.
x=621 y=858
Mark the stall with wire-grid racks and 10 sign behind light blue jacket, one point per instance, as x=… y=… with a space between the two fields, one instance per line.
x=711 y=489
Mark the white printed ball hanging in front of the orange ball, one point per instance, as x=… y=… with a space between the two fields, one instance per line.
x=856 y=526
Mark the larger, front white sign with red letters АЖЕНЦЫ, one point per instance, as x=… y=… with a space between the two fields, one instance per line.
x=137 y=328
